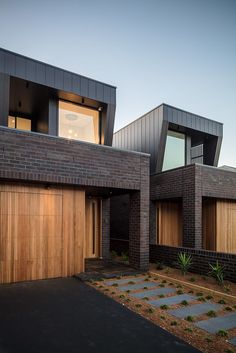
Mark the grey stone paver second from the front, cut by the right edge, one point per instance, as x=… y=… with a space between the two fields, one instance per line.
x=213 y=325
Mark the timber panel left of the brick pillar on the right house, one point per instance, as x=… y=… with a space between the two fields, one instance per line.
x=169 y=223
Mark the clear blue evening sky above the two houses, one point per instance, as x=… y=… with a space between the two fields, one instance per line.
x=180 y=52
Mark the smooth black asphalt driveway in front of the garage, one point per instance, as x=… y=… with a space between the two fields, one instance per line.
x=66 y=315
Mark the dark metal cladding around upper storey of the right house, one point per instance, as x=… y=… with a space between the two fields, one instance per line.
x=148 y=134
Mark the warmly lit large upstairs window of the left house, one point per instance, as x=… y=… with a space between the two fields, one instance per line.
x=78 y=123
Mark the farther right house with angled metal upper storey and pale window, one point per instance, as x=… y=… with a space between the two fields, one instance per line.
x=192 y=202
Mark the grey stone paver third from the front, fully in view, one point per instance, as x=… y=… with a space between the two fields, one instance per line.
x=196 y=309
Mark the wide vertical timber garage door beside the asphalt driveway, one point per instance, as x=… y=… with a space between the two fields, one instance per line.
x=41 y=232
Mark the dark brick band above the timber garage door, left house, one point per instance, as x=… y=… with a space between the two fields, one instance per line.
x=38 y=157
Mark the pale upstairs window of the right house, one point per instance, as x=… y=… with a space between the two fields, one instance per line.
x=174 y=151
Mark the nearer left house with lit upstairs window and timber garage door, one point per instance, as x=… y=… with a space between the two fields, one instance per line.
x=58 y=172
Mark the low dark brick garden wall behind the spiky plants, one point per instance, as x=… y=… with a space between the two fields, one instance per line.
x=201 y=259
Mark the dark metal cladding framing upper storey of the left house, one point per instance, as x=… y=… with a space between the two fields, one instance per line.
x=62 y=84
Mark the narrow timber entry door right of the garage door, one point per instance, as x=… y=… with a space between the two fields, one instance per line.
x=92 y=236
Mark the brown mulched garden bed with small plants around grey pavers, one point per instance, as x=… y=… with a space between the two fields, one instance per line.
x=181 y=327
